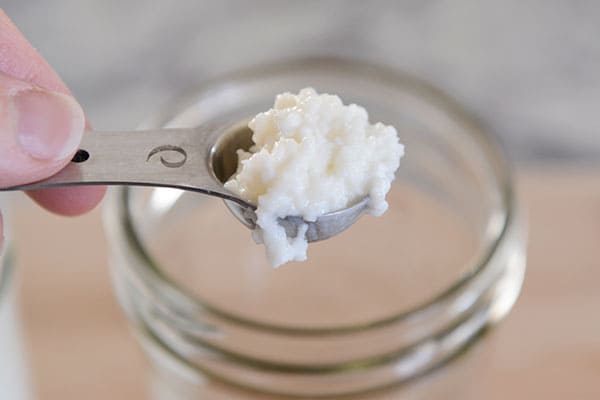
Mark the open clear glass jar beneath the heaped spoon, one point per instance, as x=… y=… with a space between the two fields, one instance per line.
x=386 y=301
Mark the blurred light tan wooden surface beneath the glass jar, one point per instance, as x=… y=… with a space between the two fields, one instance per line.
x=548 y=348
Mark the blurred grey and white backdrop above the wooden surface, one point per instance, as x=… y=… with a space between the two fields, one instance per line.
x=529 y=69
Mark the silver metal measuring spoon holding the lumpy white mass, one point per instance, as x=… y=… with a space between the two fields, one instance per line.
x=196 y=159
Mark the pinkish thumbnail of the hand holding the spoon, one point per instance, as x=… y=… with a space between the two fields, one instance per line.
x=48 y=125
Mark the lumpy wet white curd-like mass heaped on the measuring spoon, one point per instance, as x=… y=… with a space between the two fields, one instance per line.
x=312 y=155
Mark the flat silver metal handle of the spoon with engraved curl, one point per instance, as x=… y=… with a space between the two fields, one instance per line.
x=178 y=158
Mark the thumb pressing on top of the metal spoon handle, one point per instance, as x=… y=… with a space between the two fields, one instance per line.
x=39 y=131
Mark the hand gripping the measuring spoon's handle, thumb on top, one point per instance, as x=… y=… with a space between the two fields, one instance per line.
x=41 y=125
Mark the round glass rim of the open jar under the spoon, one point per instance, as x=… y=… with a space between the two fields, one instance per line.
x=179 y=299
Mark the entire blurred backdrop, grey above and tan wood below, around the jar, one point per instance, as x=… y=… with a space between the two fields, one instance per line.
x=529 y=69
